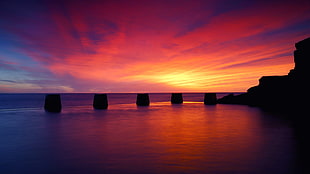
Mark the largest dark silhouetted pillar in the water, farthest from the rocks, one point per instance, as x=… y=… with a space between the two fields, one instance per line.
x=52 y=103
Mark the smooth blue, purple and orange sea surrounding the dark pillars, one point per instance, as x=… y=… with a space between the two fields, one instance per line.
x=161 y=138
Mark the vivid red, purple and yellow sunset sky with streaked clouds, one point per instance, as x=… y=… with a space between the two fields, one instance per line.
x=49 y=46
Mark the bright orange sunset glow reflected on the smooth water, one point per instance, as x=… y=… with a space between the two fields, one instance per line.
x=189 y=142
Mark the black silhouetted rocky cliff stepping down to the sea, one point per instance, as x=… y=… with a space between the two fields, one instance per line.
x=280 y=92
